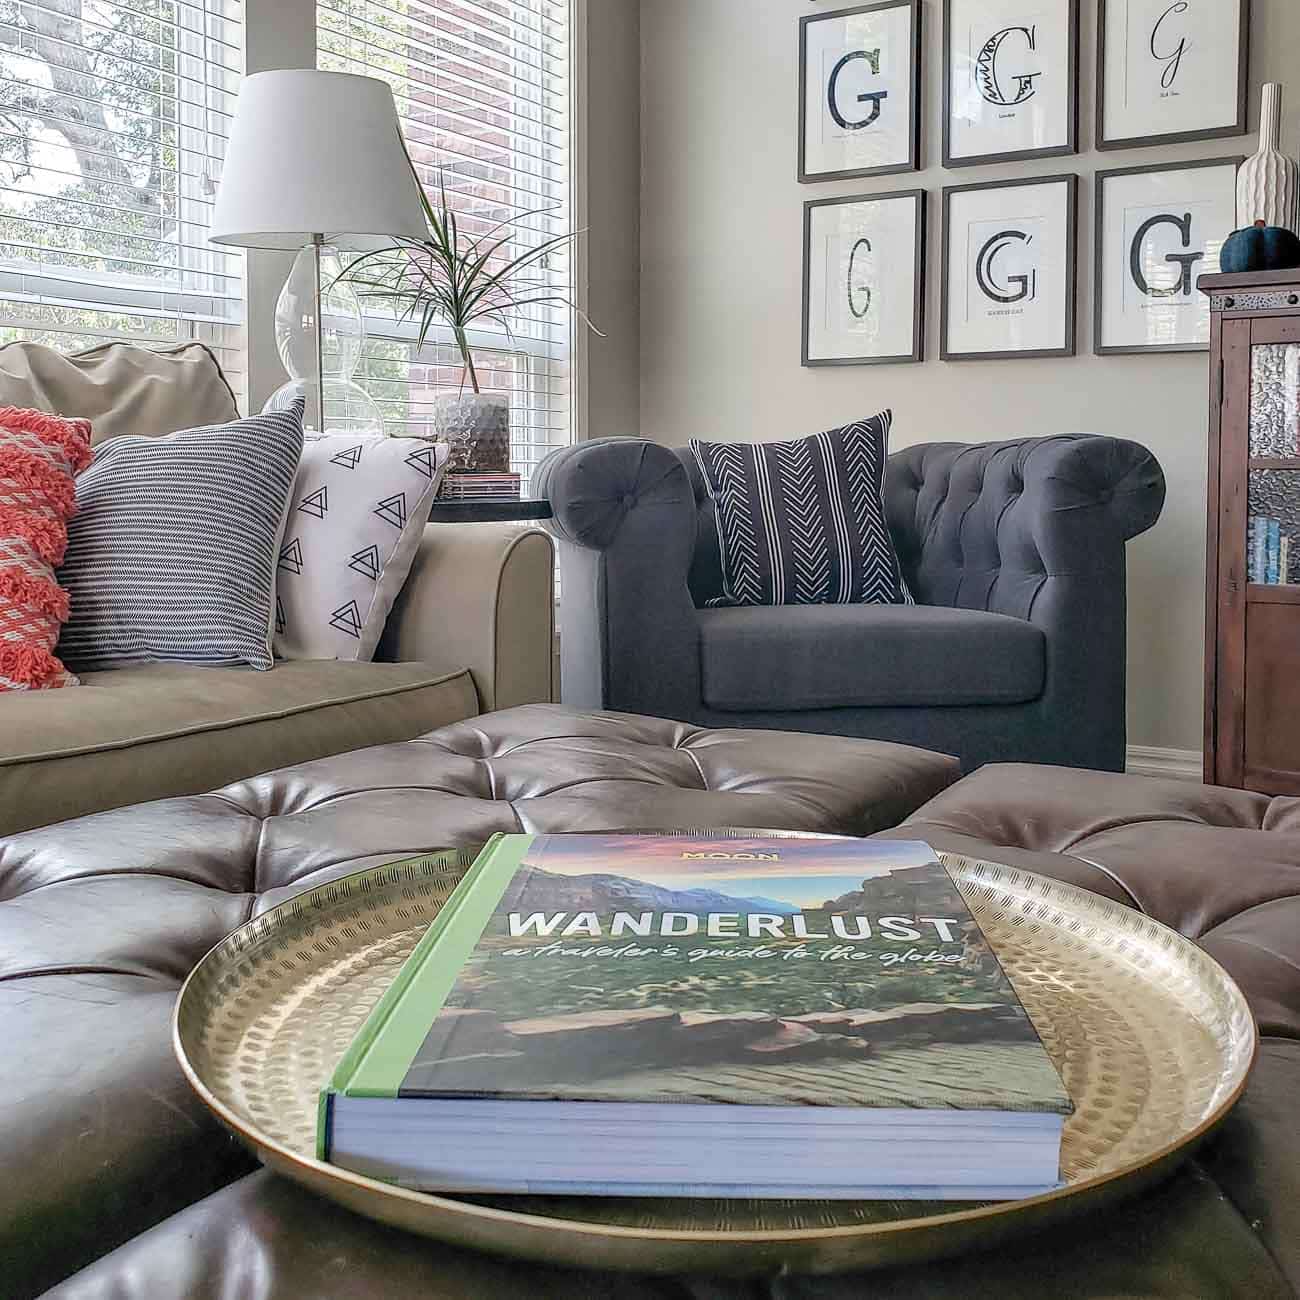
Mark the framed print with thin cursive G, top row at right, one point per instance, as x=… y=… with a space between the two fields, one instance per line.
x=1171 y=71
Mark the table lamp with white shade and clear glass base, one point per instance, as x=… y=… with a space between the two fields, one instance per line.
x=317 y=155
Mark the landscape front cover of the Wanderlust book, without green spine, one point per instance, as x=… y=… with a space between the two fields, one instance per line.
x=762 y=972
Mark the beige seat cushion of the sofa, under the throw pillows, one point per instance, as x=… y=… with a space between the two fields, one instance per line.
x=159 y=730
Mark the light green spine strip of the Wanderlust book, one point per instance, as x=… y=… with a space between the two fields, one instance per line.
x=384 y=1048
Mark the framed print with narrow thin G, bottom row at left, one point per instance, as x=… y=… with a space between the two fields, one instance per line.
x=864 y=280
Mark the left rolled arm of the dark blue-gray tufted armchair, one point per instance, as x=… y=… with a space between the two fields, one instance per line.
x=625 y=518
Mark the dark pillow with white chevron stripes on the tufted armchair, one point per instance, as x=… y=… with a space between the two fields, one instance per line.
x=804 y=522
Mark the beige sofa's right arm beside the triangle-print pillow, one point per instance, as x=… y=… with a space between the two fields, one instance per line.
x=480 y=597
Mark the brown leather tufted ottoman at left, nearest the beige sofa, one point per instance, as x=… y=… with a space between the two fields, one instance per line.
x=102 y=918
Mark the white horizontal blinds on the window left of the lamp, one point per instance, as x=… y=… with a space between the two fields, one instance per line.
x=114 y=122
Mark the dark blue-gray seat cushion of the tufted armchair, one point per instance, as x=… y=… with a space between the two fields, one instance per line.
x=864 y=656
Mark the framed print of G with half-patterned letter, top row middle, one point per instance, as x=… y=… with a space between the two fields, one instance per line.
x=1012 y=80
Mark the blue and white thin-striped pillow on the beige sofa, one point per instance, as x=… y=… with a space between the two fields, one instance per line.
x=172 y=553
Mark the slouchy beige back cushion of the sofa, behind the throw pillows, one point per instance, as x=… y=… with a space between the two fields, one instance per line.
x=120 y=388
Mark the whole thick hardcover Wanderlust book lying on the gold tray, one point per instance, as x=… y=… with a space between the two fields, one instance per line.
x=678 y=1016
